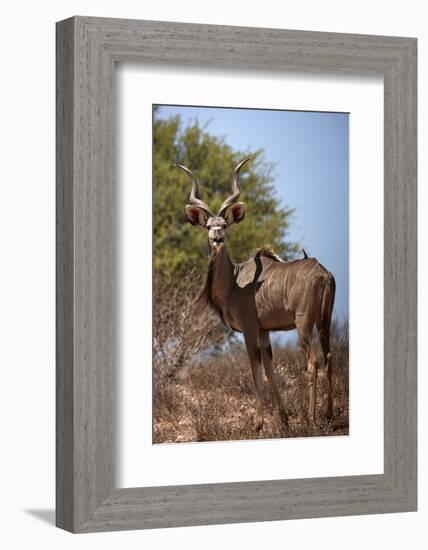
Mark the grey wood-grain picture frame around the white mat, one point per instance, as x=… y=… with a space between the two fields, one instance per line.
x=87 y=50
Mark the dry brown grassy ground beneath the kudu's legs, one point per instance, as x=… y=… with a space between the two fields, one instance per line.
x=214 y=399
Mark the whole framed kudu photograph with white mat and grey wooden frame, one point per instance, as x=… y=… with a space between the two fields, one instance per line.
x=236 y=274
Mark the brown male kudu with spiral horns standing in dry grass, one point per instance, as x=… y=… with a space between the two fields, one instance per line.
x=265 y=294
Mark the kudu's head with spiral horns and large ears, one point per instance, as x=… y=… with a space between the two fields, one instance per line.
x=231 y=211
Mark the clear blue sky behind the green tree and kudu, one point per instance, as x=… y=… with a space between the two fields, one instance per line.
x=311 y=152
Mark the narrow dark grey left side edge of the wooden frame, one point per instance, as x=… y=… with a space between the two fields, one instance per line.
x=64 y=277
